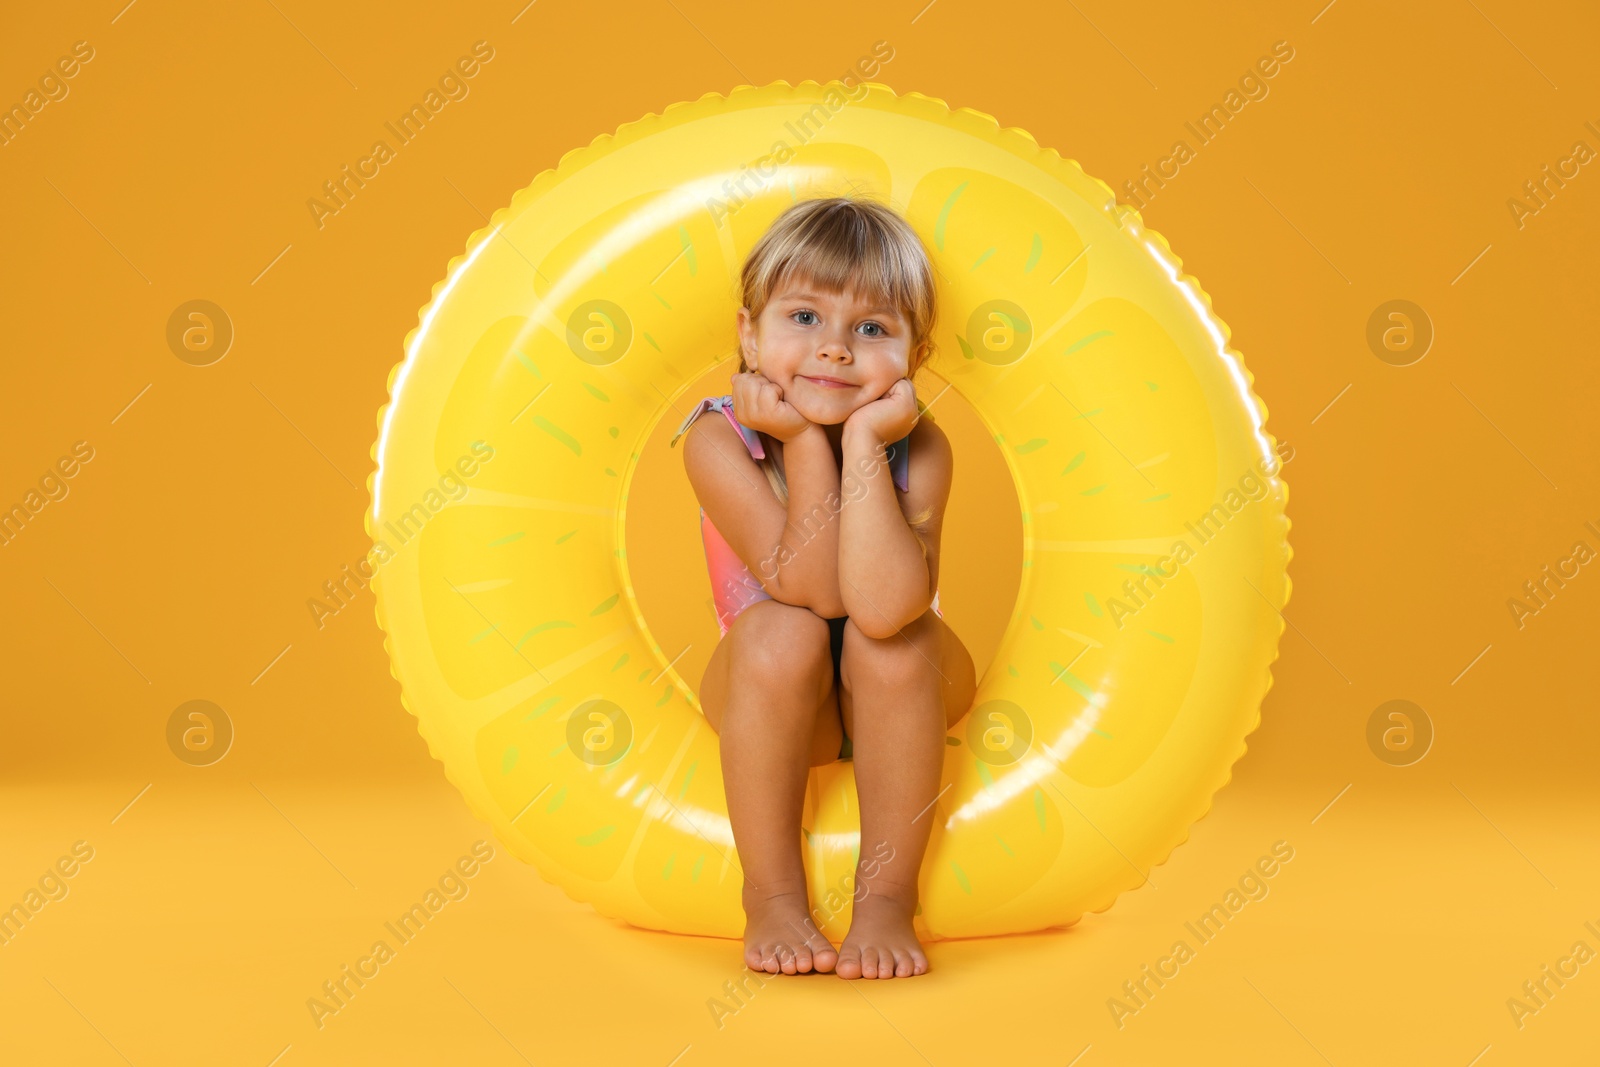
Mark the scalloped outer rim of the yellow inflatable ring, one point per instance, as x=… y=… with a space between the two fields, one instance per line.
x=970 y=121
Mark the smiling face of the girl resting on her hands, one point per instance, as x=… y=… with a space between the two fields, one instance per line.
x=830 y=353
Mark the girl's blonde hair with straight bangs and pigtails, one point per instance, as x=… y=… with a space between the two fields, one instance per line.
x=846 y=244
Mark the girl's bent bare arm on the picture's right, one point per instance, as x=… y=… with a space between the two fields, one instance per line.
x=887 y=575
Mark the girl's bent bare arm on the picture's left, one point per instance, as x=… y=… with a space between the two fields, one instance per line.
x=793 y=553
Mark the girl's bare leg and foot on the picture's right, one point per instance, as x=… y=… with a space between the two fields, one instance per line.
x=900 y=698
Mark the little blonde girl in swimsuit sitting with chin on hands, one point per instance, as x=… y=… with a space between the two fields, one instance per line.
x=822 y=497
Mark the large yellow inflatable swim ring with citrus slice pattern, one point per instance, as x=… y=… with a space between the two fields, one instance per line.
x=1154 y=538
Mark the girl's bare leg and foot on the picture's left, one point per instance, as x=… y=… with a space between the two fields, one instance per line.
x=769 y=692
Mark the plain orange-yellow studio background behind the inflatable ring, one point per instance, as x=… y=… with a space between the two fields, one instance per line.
x=178 y=567
